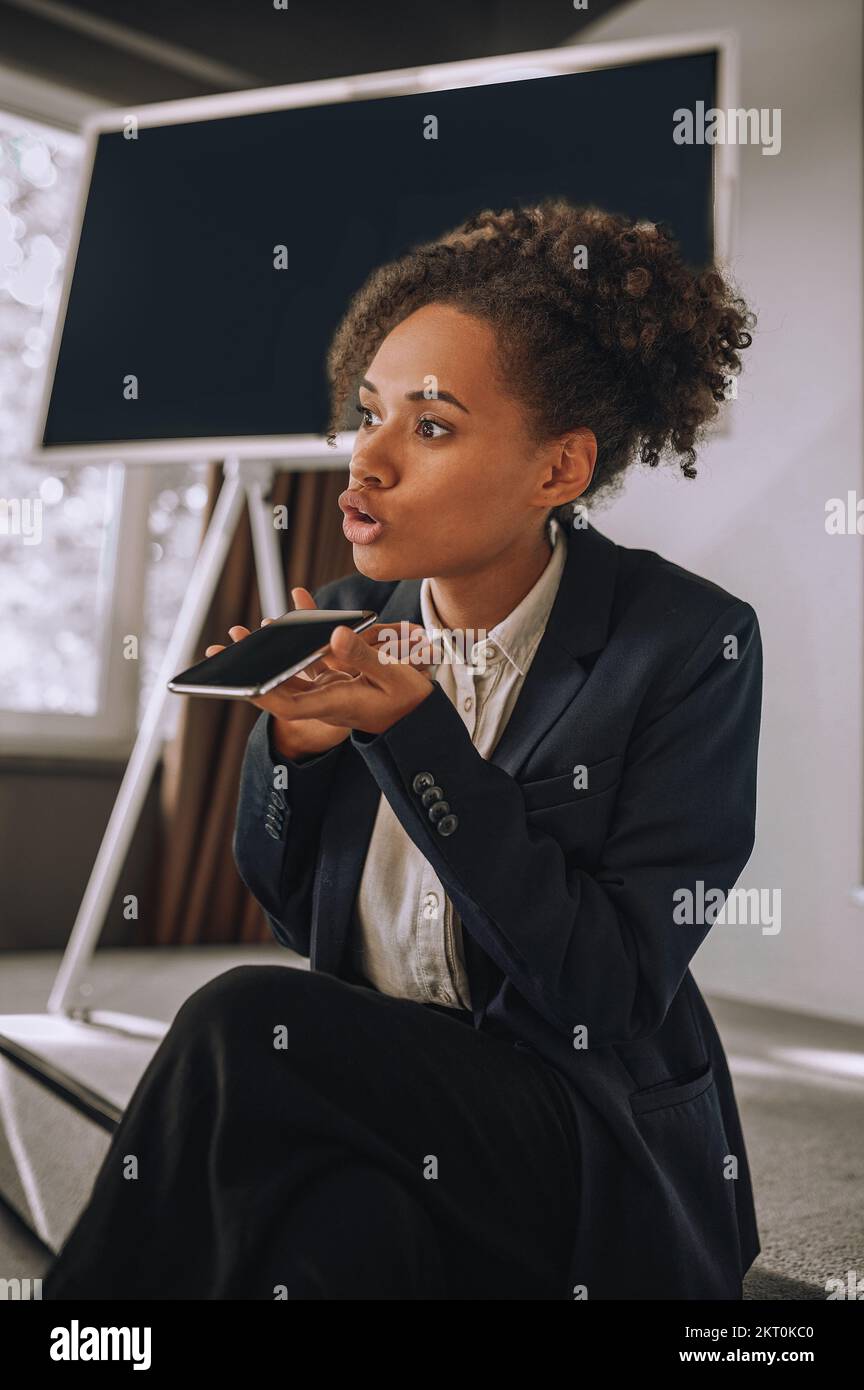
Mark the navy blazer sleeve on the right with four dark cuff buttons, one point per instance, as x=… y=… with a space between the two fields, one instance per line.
x=599 y=949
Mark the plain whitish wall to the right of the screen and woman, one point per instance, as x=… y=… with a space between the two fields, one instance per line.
x=755 y=519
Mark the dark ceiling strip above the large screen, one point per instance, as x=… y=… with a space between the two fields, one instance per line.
x=163 y=51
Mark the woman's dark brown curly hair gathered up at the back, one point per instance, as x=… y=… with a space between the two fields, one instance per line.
x=637 y=347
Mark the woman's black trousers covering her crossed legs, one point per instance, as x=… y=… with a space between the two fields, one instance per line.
x=298 y=1136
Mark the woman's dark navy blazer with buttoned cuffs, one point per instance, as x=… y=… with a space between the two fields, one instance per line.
x=569 y=886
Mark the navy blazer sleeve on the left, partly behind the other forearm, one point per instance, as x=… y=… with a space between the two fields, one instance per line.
x=281 y=806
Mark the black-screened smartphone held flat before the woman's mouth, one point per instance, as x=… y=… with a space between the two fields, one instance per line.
x=260 y=662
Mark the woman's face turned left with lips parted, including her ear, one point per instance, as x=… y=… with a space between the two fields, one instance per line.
x=454 y=479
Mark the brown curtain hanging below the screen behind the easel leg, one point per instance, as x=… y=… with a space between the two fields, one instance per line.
x=201 y=897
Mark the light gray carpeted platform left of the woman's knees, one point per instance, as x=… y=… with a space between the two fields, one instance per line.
x=65 y=1085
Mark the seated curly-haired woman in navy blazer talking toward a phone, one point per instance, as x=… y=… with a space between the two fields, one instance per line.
x=499 y=851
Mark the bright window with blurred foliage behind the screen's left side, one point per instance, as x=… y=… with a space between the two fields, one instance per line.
x=90 y=554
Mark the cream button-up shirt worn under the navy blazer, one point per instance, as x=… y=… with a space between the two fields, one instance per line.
x=408 y=935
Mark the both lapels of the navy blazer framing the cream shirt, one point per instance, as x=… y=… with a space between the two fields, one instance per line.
x=579 y=625
